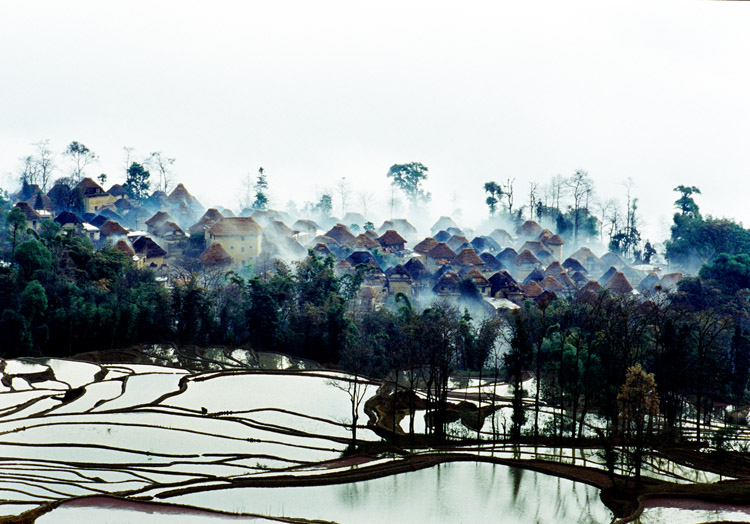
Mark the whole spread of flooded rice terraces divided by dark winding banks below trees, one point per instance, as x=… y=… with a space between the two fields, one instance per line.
x=168 y=441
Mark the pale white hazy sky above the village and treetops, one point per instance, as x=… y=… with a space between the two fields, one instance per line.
x=316 y=91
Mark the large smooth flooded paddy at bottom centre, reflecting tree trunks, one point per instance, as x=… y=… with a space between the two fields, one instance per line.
x=449 y=493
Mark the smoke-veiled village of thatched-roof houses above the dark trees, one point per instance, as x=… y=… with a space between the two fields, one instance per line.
x=507 y=268
